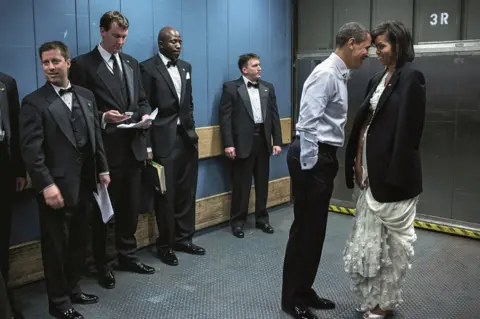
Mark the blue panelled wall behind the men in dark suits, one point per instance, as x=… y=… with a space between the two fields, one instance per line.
x=215 y=33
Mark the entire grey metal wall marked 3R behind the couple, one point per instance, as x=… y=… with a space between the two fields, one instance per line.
x=451 y=141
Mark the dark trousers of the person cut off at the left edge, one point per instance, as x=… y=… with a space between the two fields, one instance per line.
x=7 y=189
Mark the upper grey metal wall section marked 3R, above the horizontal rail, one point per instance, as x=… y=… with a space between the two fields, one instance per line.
x=429 y=20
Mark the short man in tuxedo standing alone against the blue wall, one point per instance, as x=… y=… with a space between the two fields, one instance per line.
x=249 y=120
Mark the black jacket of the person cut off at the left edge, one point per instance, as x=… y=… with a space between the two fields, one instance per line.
x=10 y=108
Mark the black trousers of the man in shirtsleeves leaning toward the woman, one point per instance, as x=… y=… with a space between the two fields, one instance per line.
x=311 y=192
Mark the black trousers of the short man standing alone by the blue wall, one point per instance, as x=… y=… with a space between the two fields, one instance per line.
x=258 y=165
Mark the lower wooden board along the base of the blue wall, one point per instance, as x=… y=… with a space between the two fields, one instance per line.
x=26 y=259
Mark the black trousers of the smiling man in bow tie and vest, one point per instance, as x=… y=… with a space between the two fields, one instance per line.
x=63 y=238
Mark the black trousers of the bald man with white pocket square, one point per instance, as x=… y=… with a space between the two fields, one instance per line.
x=175 y=210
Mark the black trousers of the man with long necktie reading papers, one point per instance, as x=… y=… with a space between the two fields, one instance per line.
x=125 y=195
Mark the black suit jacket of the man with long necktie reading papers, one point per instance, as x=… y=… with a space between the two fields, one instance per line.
x=90 y=71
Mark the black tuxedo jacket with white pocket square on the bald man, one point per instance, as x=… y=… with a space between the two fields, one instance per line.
x=161 y=94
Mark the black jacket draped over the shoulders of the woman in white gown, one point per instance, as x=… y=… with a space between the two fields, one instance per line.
x=393 y=140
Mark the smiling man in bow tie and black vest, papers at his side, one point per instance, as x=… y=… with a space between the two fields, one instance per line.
x=62 y=147
